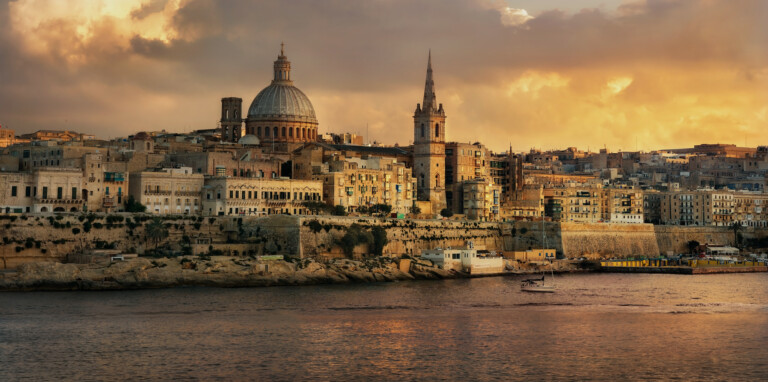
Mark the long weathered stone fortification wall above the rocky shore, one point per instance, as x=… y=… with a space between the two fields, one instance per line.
x=35 y=238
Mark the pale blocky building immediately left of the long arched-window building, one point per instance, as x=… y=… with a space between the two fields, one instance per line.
x=168 y=190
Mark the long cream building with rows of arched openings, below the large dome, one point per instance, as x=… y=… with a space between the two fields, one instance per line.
x=226 y=195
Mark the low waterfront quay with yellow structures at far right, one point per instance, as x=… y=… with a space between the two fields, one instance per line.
x=686 y=267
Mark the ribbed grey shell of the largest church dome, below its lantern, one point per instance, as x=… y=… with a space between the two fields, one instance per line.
x=282 y=101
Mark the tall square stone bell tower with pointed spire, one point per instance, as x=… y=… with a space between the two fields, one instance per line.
x=429 y=146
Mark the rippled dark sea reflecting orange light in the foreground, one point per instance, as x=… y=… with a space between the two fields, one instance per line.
x=599 y=327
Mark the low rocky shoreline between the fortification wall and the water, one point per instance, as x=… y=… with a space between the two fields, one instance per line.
x=220 y=271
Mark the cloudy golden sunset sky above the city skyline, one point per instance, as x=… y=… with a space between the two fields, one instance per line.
x=549 y=74
